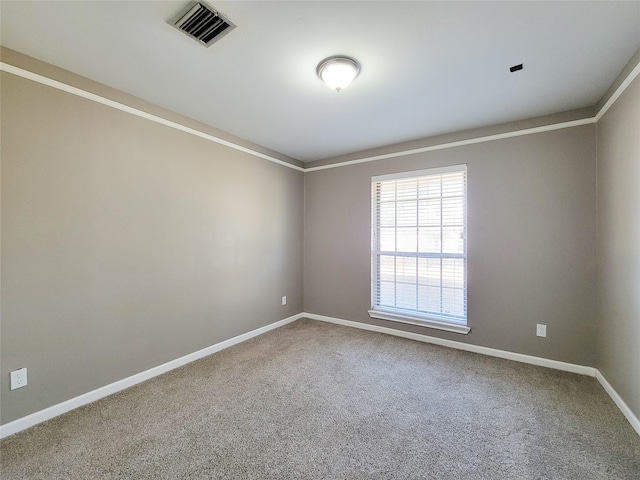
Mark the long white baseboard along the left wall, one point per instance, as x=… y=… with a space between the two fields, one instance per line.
x=55 y=410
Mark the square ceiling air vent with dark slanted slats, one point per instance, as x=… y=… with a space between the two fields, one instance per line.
x=203 y=23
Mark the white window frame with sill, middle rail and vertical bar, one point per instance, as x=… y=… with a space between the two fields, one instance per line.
x=438 y=320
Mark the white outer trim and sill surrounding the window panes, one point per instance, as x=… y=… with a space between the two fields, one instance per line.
x=430 y=320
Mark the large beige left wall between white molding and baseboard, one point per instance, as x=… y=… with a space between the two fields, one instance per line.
x=127 y=244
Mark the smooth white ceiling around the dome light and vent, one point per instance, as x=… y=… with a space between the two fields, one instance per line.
x=427 y=67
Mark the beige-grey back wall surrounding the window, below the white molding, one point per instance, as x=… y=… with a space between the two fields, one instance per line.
x=531 y=241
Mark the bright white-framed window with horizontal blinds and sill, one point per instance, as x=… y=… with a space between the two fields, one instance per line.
x=419 y=248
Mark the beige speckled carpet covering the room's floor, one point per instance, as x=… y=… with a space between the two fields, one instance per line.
x=318 y=401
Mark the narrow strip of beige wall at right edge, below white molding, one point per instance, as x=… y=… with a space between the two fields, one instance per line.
x=618 y=317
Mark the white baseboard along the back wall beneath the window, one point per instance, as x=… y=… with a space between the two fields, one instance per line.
x=518 y=357
